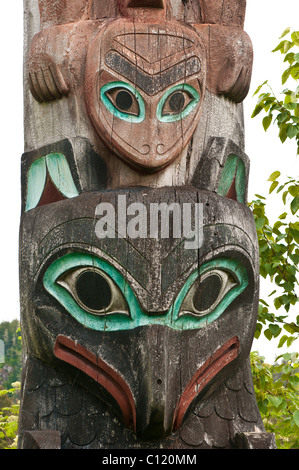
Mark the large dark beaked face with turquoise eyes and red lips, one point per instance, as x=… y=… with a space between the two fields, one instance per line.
x=153 y=323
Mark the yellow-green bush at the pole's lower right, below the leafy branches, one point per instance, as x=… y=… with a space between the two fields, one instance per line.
x=276 y=387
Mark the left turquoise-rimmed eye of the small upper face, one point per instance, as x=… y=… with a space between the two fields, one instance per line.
x=123 y=101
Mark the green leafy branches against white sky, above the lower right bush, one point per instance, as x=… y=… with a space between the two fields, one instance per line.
x=279 y=242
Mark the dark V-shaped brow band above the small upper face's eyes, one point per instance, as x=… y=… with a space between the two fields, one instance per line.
x=152 y=84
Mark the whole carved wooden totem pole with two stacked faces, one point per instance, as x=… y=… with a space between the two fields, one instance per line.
x=139 y=257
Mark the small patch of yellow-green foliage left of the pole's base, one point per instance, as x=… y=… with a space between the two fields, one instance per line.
x=9 y=415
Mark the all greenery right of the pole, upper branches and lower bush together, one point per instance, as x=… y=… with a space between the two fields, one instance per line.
x=277 y=385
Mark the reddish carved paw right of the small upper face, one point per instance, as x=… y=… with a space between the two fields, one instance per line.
x=229 y=48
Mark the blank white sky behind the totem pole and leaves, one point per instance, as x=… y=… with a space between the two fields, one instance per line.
x=265 y=22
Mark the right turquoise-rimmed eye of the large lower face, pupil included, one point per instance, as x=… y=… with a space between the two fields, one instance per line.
x=206 y=295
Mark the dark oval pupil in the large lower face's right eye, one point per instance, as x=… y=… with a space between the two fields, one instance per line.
x=207 y=292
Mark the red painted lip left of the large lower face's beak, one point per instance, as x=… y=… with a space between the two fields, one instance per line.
x=73 y=353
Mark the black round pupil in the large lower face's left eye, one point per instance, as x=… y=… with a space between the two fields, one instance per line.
x=93 y=290
